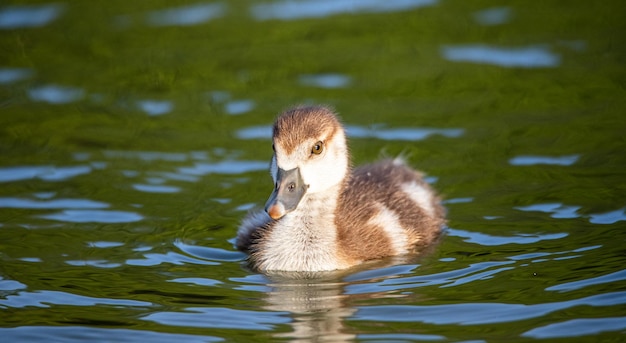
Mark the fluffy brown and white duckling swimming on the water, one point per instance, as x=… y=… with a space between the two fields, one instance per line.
x=323 y=215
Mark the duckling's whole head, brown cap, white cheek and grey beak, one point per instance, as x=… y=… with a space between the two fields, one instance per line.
x=310 y=156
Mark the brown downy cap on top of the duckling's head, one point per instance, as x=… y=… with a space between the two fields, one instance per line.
x=301 y=123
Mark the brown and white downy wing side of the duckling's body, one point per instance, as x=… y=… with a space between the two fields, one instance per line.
x=387 y=209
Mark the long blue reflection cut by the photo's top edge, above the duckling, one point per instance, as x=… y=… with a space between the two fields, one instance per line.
x=291 y=10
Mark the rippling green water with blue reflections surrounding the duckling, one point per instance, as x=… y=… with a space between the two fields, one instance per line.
x=134 y=138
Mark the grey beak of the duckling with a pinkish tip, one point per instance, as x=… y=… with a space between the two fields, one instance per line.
x=289 y=190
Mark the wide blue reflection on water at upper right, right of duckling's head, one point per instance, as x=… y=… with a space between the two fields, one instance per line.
x=524 y=57
